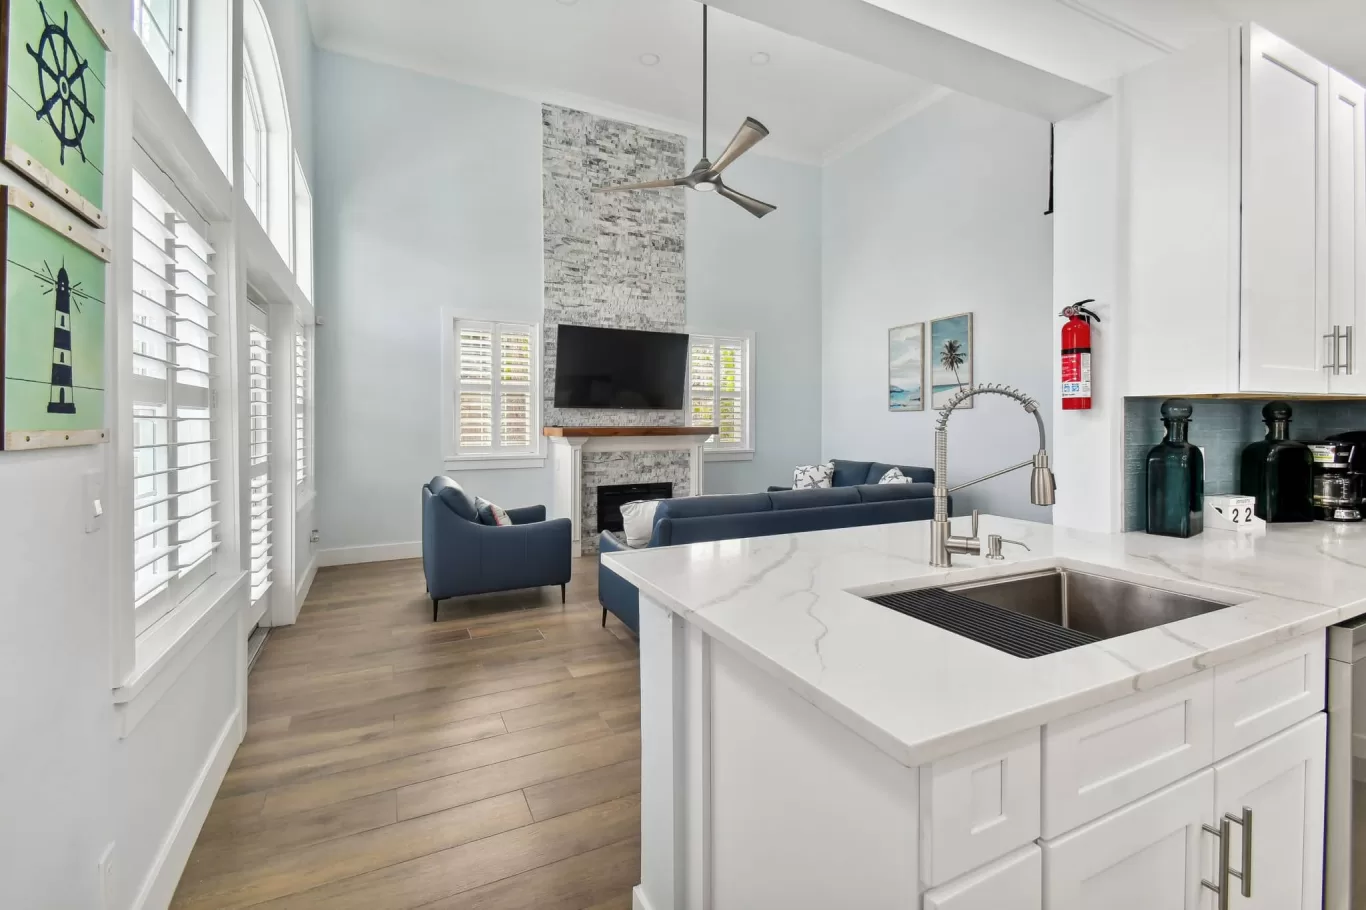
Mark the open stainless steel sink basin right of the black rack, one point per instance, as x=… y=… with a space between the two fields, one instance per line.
x=1091 y=605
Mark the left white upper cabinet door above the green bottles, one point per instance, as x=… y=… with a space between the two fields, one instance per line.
x=1286 y=300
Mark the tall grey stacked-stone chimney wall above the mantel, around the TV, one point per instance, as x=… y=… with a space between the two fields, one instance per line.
x=611 y=259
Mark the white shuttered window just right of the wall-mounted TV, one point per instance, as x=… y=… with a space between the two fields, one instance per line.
x=719 y=393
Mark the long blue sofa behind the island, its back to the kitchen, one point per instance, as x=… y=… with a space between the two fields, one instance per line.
x=782 y=512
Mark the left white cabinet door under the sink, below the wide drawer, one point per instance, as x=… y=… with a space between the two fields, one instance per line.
x=1148 y=856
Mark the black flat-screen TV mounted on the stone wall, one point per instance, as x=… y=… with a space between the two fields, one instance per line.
x=619 y=370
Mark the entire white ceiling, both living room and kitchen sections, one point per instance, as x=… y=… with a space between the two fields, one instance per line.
x=819 y=103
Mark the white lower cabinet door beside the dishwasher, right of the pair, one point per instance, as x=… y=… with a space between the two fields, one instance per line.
x=1282 y=782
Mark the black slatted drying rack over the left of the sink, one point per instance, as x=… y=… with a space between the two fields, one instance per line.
x=1002 y=629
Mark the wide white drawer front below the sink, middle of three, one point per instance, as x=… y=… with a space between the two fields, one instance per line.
x=1110 y=756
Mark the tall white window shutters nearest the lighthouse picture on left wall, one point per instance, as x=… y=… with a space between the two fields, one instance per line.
x=174 y=450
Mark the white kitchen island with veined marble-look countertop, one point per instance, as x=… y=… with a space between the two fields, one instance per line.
x=804 y=747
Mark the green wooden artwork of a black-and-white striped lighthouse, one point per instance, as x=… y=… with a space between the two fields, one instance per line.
x=51 y=330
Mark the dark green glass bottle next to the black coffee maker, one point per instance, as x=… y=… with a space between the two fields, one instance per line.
x=1279 y=472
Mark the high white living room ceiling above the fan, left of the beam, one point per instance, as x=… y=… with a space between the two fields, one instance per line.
x=816 y=102
